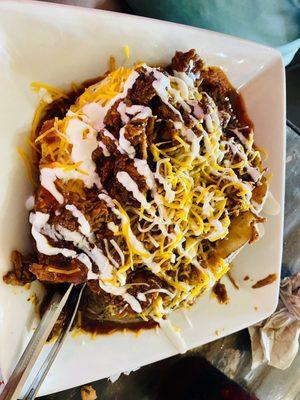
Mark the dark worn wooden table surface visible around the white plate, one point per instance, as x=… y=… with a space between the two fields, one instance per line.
x=232 y=353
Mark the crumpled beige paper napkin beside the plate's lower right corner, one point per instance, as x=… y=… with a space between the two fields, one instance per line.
x=276 y=339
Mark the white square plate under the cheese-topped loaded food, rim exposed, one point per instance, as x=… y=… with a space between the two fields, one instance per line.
x=59 y=44
